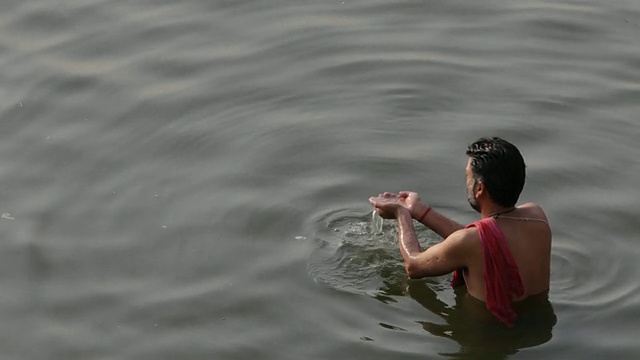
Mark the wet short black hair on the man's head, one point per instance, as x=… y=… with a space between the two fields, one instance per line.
x=500 y=166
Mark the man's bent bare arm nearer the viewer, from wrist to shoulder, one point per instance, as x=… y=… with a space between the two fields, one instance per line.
x=439 y=259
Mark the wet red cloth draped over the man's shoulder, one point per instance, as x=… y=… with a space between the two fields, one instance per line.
x=502 y=281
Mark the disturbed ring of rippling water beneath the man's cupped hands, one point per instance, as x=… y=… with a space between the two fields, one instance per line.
x=354 y=254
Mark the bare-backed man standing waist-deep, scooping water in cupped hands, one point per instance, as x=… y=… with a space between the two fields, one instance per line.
x=502 y=258
